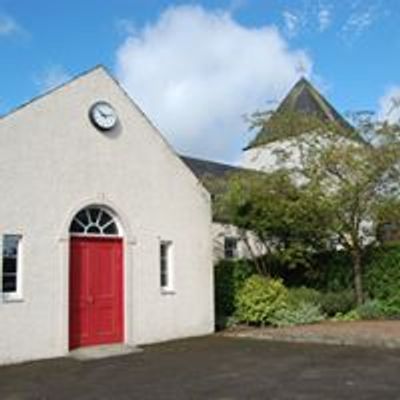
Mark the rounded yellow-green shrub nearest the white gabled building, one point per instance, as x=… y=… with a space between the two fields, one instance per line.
x=259 y=299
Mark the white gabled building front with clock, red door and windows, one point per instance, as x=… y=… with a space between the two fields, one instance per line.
x=105 y=232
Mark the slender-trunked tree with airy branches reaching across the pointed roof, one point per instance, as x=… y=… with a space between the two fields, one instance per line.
x=354 y=175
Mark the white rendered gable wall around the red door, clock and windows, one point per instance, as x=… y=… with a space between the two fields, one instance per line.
x=54 y=162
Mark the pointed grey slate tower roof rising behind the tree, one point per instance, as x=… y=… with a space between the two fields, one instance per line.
x=303 y=98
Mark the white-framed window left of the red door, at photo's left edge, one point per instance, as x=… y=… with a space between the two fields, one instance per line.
x=11 y=266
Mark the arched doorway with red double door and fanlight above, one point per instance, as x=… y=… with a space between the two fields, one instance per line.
x=96 y=278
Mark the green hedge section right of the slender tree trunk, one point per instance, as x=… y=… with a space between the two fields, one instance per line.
x=382 y=275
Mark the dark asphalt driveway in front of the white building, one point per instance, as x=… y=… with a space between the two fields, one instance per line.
x=214 y=367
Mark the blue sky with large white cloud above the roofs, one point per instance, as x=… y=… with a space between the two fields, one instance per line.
x=197 y=67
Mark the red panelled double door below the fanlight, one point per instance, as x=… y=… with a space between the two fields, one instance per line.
x=96 y=292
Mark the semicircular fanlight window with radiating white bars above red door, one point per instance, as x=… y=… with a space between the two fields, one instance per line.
x=94 y=221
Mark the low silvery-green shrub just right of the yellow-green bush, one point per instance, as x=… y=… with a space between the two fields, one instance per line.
x=301 y=314
